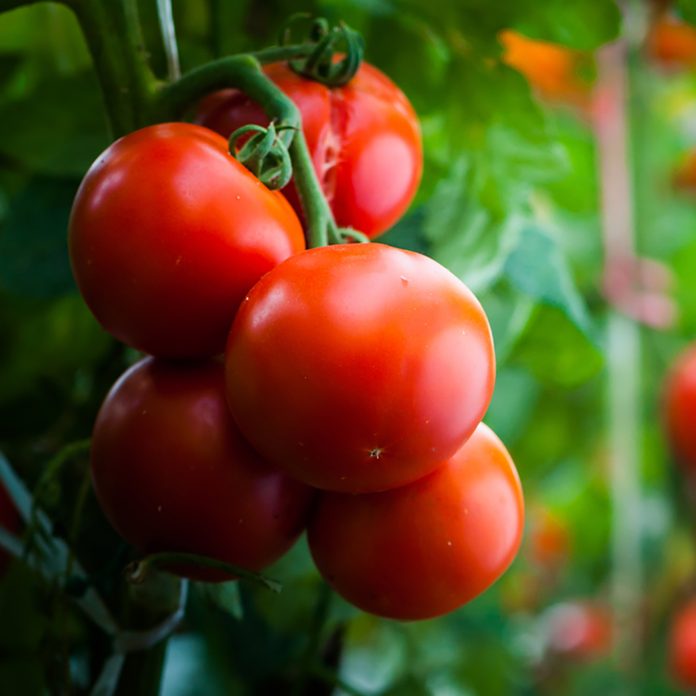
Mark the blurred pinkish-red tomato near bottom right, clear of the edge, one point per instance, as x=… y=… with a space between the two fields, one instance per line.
x=579 y=630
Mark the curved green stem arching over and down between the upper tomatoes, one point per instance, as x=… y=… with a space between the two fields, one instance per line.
x=244 y=72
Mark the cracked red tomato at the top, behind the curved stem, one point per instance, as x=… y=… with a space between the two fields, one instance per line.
x=364 y=140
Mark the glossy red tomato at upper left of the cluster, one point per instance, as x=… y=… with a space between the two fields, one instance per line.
x=167 y=234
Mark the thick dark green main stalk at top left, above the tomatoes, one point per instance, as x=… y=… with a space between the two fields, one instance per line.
x=113 y=35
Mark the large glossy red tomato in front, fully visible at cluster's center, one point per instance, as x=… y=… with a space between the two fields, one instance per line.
x=359 y=367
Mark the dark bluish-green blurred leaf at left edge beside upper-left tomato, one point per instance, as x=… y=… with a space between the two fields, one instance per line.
x=33 y=250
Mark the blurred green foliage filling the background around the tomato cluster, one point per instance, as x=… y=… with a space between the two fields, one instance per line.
x=509 y=201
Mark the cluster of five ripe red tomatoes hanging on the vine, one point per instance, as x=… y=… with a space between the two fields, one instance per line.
x=354 y=378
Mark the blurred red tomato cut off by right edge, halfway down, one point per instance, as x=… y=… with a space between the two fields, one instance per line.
x=680 y=409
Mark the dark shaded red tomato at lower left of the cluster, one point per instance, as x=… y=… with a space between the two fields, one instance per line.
x=172 y=472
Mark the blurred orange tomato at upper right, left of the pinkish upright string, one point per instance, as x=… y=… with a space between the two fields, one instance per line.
x=553 y=70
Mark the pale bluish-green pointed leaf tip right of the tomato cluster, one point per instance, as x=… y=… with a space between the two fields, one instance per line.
x=537 y=268
